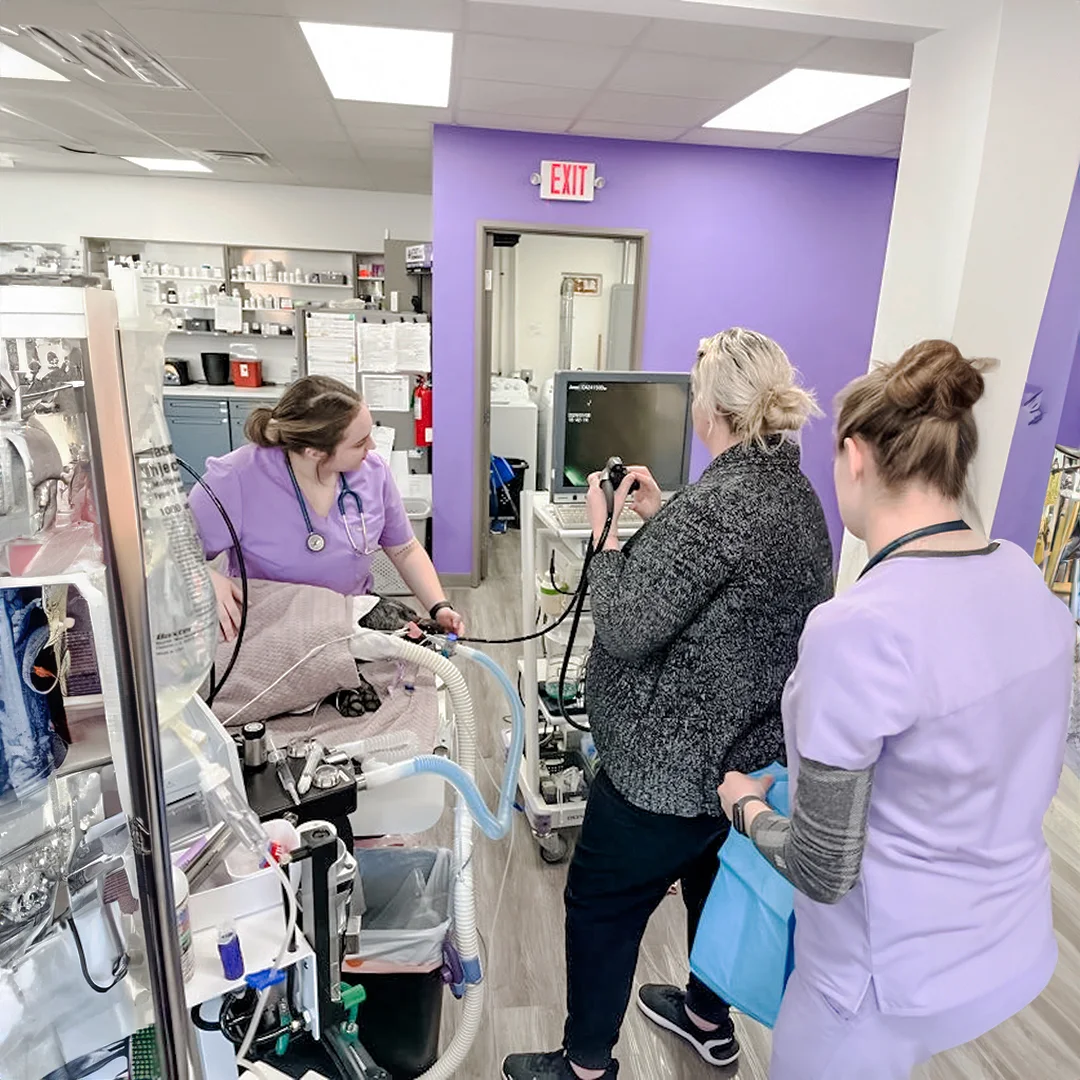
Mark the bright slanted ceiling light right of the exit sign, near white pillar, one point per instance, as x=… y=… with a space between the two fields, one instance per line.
x=804 y=100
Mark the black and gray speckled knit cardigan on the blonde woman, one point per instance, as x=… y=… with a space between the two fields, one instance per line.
x=698 y=623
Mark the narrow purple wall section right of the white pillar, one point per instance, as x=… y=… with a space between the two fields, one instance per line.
x=1028 y=474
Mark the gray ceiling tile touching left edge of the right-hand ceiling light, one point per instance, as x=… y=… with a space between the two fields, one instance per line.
x=722 y=83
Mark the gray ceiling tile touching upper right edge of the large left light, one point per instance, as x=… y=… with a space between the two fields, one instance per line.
x=521 y=60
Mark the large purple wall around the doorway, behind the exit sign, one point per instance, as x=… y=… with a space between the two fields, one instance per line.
x=790 y=245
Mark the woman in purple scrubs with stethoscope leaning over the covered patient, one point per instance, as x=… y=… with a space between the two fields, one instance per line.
x=313 y=505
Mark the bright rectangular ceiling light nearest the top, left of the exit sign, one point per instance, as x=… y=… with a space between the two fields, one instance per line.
x=383 y=64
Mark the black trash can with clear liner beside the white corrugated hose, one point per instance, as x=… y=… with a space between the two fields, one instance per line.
x=407 y=919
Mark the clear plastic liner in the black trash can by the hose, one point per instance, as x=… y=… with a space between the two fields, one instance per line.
x=408 y=910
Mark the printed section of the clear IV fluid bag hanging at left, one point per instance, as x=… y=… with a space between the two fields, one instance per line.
x=183 y=609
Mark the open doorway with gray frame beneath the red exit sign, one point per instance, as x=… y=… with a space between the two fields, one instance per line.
x=549 y=300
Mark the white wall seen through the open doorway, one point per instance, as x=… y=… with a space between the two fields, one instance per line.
x=542 y=263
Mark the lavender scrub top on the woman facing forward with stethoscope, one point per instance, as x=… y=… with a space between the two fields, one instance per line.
x=254 y=487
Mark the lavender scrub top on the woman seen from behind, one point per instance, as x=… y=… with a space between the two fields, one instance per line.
x=951 y=677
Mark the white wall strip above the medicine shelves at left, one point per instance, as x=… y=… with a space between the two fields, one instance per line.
x=62 y=208
